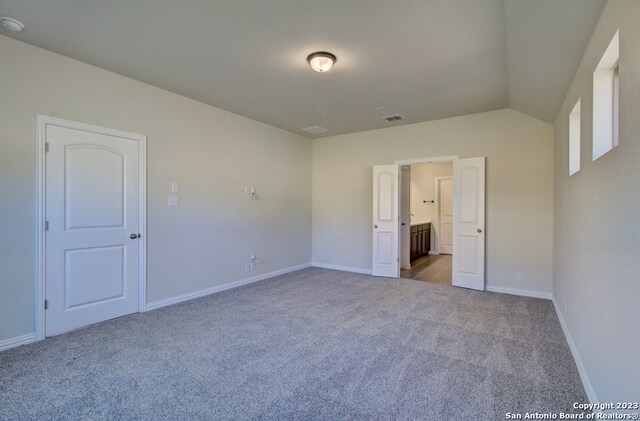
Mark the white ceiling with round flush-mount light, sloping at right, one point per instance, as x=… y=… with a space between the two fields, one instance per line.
x=423 y=59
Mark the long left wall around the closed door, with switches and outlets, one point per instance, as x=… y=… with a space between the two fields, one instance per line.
x=211 y=153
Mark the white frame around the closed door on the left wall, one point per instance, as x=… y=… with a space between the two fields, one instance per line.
x=42 y=123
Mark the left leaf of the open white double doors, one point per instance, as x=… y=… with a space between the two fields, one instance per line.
x=385 y=260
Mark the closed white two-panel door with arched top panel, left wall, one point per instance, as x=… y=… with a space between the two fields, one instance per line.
x=93 y=199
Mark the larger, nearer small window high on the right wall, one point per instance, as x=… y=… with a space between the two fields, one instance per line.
x=606 y=100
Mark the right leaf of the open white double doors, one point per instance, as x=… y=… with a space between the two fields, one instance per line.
x=468 y=225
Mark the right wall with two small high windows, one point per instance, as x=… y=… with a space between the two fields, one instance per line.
x=597 y=235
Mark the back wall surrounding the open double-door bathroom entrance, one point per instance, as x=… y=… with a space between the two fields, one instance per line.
x=519 y=190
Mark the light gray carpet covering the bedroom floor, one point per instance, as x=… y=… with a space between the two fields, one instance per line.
x=314 y=344
